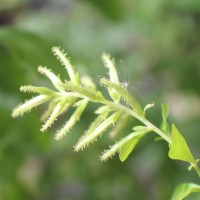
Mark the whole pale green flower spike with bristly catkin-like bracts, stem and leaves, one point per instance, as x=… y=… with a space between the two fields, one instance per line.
x=113 y=113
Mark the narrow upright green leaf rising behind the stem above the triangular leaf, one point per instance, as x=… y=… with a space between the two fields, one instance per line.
x=165 y=112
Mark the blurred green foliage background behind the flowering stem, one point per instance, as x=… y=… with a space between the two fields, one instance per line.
x=156 y=45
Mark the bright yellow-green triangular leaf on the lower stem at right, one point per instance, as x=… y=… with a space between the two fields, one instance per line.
x=179 y=149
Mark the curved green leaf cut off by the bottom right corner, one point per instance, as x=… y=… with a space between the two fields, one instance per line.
x=184 y=190
